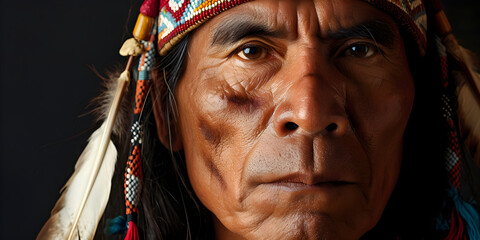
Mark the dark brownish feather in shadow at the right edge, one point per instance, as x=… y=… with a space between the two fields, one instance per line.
x=468 y=91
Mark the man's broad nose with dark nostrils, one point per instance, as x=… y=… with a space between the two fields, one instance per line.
x=313 y=104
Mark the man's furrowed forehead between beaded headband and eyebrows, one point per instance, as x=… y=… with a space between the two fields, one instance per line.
x=291 y=18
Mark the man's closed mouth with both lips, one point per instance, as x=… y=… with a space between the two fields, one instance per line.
x=306 y=191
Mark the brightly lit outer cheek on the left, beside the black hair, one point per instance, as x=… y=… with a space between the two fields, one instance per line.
x=203 y=144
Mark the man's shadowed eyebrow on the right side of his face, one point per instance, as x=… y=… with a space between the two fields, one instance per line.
x=378 y=31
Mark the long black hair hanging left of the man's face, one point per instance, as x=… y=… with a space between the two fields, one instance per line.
x=170 y=208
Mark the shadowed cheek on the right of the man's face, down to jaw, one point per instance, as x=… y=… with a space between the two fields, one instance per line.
x=380 y=119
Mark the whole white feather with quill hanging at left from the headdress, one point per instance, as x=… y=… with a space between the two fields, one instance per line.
x=84 y=198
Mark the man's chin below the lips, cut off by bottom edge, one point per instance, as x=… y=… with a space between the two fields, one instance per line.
x=310 y=213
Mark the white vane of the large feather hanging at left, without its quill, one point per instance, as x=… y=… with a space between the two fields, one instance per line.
x=63 y=214
